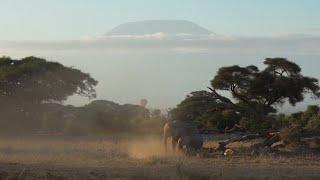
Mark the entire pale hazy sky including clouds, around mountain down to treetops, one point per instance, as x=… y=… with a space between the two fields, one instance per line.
x=160 y=67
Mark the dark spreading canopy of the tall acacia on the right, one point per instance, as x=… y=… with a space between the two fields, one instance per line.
x=262 y=90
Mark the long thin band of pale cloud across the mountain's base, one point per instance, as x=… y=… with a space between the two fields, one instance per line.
x=180 y=43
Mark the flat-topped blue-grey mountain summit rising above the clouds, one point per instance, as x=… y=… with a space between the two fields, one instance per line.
x=171 y=27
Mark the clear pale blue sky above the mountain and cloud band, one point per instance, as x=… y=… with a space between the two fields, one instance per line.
x=73 y=19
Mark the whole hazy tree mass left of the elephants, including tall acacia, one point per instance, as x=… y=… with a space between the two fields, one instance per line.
x=30 y=86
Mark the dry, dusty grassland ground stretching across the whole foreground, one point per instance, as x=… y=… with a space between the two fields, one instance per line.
x=125 y=156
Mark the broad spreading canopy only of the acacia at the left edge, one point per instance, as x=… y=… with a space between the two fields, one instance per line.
x=36 y=80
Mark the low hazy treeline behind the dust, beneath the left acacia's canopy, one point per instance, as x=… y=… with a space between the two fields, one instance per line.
x=97 y=117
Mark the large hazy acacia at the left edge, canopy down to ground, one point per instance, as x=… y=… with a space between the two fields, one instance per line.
x=29 y=83
